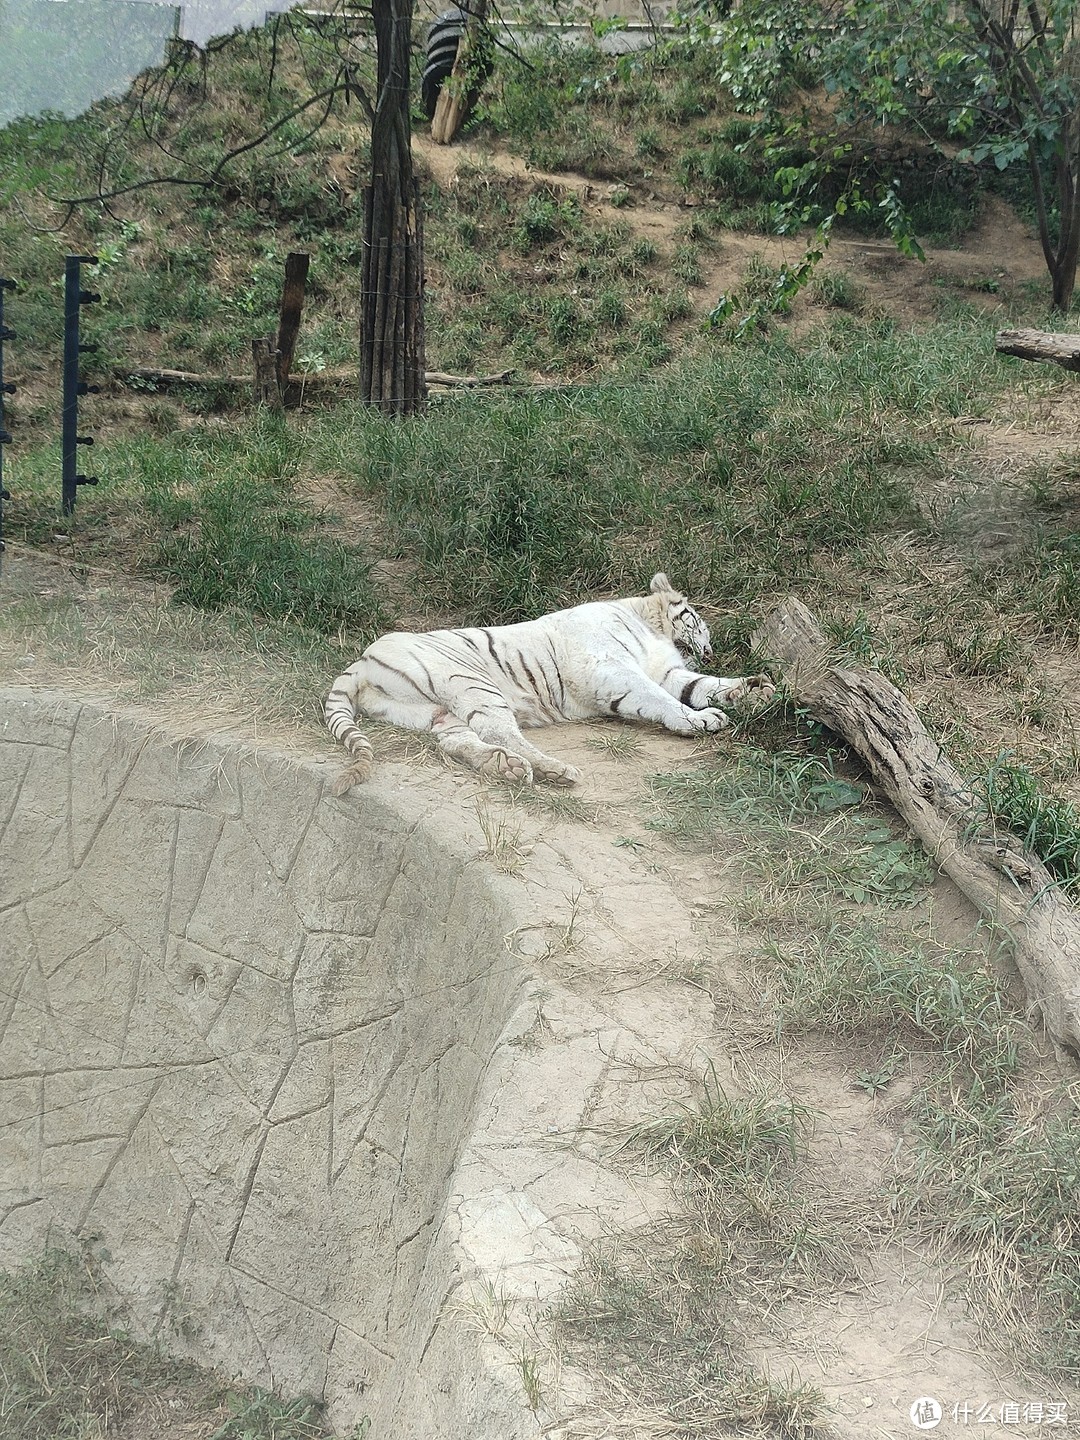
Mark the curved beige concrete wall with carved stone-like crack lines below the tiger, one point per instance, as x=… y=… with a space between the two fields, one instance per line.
x=244 y=1030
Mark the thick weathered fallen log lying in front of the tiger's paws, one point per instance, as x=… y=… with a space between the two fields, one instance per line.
x=1007 y=883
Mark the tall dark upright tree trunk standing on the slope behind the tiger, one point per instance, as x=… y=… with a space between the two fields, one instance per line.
x=392 y=271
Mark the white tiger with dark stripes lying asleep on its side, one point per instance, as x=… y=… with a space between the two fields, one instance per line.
x=476 y=688
